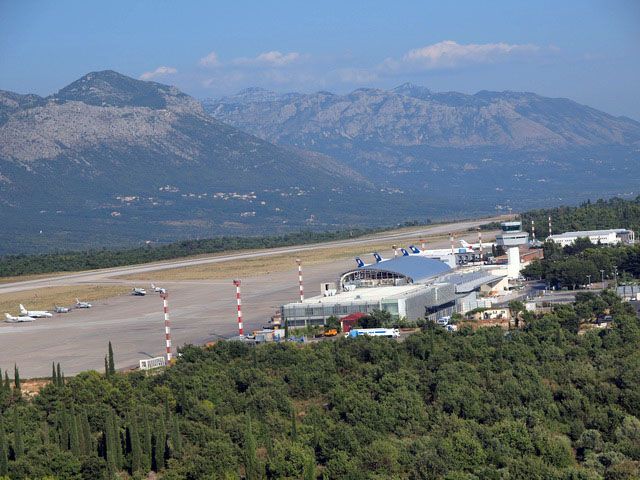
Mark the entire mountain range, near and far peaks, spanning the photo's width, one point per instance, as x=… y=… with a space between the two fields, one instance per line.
x=111 y=161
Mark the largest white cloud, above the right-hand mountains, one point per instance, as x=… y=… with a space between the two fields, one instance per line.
x=449 y=54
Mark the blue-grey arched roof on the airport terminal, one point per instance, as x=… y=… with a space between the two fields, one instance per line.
x=407 y=269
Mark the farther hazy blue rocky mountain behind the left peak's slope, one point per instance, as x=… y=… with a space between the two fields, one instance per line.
x=489 y=150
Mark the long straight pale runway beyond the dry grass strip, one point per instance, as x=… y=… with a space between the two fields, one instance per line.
x=97 y=276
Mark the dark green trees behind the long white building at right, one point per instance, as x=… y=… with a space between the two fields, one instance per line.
x=603 y=214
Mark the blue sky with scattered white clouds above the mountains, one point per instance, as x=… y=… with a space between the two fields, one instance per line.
x=585 y=50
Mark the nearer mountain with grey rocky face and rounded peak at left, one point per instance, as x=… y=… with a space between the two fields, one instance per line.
x=110 y=160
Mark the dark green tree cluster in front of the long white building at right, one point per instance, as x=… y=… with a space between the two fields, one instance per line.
x=583 y=262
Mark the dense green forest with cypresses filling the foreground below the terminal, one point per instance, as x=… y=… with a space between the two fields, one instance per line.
x=538 y=402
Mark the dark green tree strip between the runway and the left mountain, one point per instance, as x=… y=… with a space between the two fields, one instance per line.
x=14 y=265
